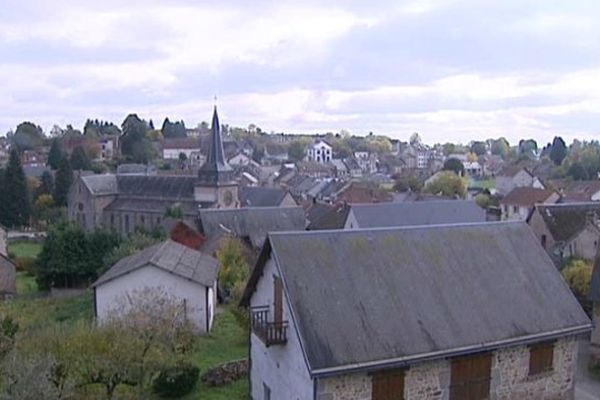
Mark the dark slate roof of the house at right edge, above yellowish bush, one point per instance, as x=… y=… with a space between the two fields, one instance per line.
x=564 y=221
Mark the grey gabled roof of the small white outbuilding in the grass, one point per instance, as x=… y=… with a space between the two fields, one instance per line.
x=170 y=256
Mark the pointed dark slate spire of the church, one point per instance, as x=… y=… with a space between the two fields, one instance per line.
x=215 y=171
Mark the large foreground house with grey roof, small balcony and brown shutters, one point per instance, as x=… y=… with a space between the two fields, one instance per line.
x=402 y=313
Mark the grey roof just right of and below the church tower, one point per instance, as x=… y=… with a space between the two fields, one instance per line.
x=252 y=222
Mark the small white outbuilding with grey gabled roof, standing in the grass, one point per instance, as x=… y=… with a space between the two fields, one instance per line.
x=180 y=272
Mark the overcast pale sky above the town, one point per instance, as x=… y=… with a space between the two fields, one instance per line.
x=450 y=70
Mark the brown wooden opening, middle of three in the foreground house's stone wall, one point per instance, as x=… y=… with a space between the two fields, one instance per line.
x=470 y=377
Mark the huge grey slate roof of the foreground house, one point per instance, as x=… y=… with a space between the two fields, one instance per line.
x=367 y=298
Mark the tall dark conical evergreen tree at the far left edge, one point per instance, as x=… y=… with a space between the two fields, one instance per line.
x=16 y=193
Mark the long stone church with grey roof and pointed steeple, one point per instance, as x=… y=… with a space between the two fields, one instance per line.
x=124 y=202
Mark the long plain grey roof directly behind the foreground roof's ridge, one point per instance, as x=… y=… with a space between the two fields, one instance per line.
x=417 y=213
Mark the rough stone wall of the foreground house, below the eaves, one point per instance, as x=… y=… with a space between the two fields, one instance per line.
x=509 y=378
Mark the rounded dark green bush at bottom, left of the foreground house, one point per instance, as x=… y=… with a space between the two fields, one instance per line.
x=176 y=381
